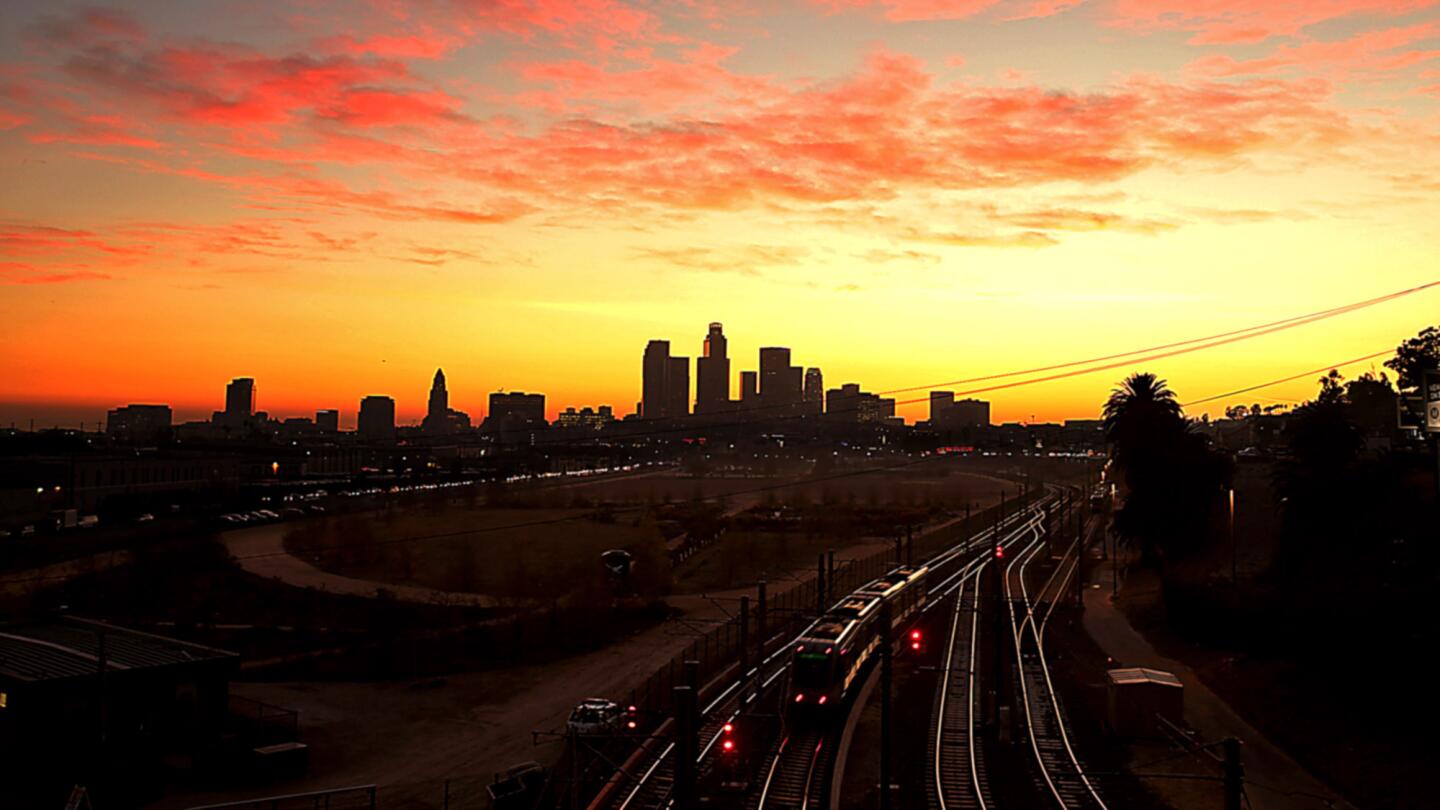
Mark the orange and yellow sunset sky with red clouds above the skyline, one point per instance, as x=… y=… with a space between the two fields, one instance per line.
x=341 y=198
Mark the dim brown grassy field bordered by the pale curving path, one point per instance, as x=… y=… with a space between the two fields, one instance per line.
x=538 y=544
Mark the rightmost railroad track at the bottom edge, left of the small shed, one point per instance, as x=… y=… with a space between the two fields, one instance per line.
x=1061 y=773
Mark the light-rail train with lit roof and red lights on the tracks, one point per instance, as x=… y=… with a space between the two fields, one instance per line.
x=829 y=658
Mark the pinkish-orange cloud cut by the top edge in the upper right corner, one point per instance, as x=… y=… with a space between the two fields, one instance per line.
x=1233 y=22
